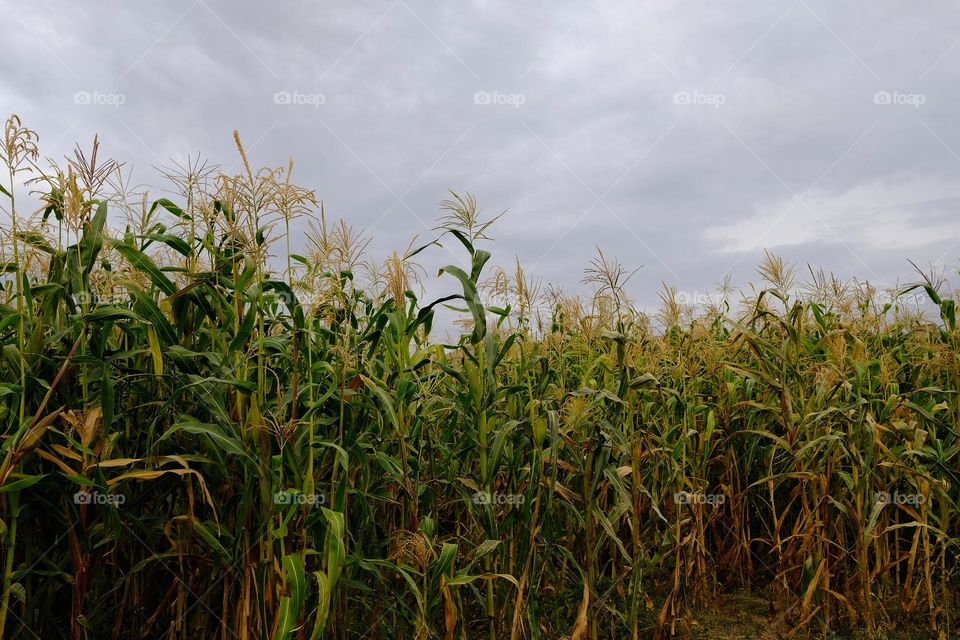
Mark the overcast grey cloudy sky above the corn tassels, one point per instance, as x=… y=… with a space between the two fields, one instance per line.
x=684 y=136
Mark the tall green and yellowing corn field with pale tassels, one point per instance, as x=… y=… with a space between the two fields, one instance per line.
x=209 y=435
